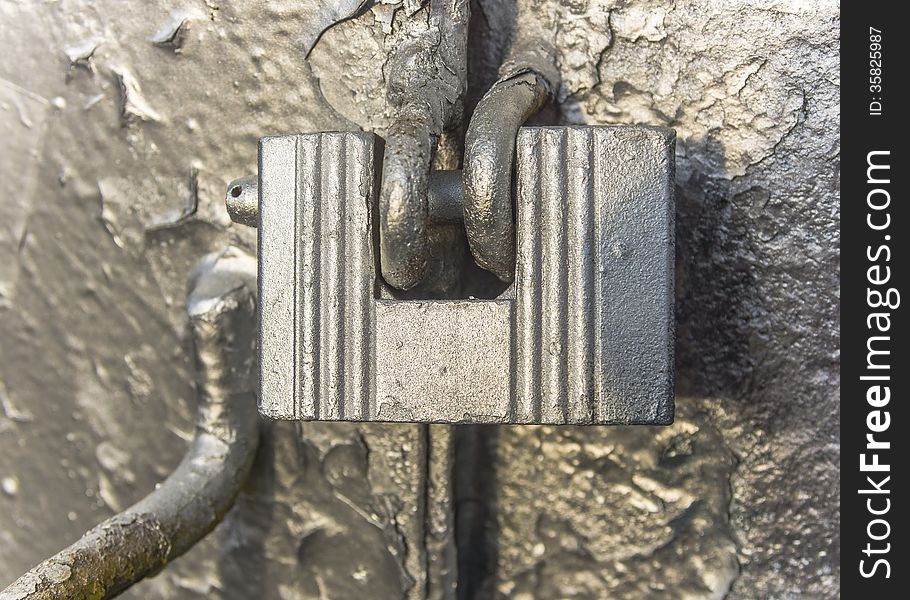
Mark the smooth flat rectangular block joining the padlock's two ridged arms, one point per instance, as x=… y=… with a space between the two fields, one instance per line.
x=443 y=361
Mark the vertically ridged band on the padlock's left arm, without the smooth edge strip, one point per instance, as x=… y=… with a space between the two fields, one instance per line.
x=335 y=275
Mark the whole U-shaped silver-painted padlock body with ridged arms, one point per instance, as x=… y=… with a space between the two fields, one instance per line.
x=583 y=336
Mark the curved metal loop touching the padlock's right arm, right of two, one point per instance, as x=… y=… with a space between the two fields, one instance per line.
x=487 y=176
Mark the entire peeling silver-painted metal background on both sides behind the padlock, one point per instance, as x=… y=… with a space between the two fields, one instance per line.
x=93 y=343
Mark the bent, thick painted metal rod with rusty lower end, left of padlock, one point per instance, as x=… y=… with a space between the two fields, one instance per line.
x=144 y=538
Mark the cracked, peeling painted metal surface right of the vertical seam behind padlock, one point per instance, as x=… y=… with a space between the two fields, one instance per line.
x=752 y=92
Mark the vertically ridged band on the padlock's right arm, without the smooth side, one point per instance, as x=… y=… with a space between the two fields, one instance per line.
x=555 y=298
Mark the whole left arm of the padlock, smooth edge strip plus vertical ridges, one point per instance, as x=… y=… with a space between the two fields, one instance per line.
x=316 y=276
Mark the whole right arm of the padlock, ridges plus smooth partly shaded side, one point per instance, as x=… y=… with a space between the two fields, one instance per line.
x=586 y=352
